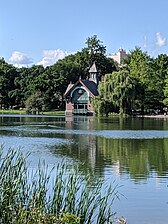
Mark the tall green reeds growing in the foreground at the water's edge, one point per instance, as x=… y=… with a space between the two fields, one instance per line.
x=58 y=195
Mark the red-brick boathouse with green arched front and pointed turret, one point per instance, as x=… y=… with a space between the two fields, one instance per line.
x=79 y=96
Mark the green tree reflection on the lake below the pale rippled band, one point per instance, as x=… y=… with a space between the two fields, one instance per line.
x=139 y=158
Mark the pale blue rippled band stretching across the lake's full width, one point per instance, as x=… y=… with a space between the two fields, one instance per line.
x=114 y=134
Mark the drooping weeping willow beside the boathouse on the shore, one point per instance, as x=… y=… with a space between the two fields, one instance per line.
x=116 y=94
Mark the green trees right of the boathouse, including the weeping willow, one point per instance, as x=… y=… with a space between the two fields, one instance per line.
x=140 y=85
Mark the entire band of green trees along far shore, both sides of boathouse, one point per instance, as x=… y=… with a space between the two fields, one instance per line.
x=139 y=85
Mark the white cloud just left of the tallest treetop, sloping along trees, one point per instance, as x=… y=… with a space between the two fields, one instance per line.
x=51 y=56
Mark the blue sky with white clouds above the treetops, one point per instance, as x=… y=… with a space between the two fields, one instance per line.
x=42 y=31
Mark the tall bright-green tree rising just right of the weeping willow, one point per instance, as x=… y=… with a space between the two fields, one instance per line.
x=139 y=65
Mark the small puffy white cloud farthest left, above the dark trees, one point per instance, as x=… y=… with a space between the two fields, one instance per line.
x=20 y=59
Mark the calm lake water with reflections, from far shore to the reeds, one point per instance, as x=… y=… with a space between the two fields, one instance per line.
x=133 y=152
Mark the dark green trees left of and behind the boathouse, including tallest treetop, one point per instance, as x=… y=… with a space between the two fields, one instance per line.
x=40 y=89
